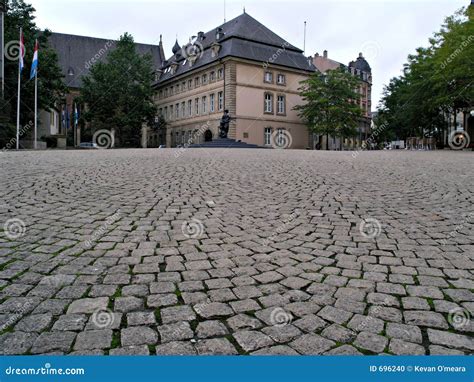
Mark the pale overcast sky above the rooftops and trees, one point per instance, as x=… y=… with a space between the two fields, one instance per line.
x=385 y=31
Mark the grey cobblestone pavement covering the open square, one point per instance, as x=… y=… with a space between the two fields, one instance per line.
x=236 y=252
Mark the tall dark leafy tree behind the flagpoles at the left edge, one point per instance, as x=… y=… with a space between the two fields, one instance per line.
x=50 y=85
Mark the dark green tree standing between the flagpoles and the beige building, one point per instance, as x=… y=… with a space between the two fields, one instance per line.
x=119 y=93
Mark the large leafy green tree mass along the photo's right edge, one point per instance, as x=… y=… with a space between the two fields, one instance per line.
x=436 y=81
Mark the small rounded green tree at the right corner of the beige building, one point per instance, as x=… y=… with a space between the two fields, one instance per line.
x=330 y=103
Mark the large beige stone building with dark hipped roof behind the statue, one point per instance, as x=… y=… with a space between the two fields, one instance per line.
x=240 y=66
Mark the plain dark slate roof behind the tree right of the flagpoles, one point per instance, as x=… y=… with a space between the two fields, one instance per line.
x=75 y=54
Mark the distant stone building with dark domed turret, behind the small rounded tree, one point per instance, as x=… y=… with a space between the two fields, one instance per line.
x=360 y=68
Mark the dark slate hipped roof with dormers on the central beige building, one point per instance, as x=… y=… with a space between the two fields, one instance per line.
x=242 y=37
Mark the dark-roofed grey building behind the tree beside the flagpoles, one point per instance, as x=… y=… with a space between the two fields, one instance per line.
x=76 y=55
